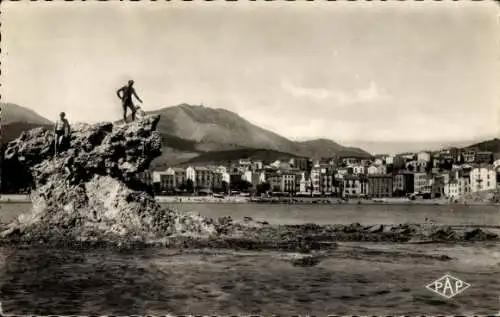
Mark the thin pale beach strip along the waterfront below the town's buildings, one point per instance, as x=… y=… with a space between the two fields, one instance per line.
x=25 y=199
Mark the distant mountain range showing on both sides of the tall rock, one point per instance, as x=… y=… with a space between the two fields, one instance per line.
x=189 y=132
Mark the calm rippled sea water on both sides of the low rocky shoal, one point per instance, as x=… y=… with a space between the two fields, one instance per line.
x=359 y=279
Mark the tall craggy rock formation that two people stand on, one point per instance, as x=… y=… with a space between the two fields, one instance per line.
x=91 y=191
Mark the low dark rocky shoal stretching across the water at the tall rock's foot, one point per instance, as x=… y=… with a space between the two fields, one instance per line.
x=253 y=235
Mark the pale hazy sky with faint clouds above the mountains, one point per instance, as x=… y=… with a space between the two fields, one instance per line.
x=354 y=72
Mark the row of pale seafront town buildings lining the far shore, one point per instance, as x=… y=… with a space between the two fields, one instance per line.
x=449 y=173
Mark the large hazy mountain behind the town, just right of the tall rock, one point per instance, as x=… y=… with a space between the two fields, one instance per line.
x=222 y=130
